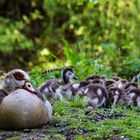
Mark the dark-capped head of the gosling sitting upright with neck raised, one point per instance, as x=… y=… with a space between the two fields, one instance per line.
x=68 y=75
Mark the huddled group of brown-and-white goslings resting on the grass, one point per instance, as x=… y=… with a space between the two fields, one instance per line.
x=97 y=90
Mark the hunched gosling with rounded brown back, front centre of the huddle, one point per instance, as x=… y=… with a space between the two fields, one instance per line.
x=95 y=94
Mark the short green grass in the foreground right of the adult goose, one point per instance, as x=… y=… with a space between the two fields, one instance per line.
x=100 y=123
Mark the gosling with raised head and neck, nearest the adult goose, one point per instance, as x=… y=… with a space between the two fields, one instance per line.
x=53 y=88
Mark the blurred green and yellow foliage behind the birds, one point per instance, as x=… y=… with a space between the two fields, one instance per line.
x=97 y=36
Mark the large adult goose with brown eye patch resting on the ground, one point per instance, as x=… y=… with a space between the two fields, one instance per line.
x=21 y=106
